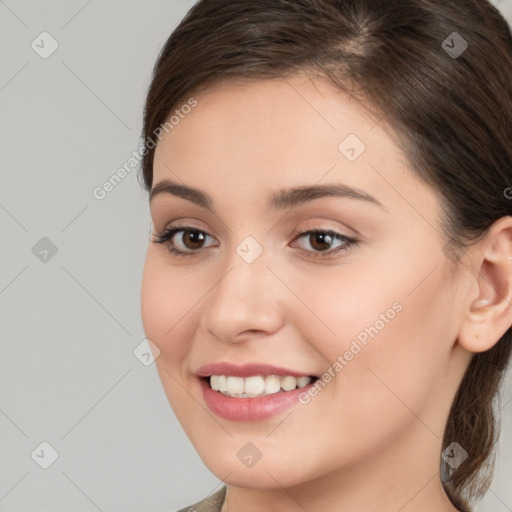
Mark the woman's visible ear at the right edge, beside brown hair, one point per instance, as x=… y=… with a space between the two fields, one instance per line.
x=489 y=311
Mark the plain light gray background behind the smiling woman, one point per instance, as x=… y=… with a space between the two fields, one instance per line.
x=69 y=324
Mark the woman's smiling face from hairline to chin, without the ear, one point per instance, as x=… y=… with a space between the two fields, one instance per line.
x=370 y=309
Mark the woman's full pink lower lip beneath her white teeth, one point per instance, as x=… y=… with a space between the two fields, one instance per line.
x=250 y=409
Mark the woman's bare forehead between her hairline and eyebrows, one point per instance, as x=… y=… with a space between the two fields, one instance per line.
x=272 y=134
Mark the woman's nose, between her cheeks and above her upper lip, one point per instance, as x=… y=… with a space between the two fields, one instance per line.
x=246 y=302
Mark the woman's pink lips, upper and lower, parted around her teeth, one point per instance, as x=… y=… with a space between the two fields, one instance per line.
x=248 y=409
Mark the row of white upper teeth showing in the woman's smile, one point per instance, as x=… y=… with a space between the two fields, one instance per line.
x=256 y=385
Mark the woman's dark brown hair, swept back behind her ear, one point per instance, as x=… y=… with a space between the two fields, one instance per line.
x=438 y=72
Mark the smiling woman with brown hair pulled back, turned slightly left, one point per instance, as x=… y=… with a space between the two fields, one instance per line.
x=329 y=278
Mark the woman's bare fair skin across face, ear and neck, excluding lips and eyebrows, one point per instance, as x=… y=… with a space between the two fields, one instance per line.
x=372 y=438
